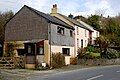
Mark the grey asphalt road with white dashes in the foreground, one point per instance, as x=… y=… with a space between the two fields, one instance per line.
x=94 y=73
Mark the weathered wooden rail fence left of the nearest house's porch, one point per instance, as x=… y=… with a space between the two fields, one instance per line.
x=12 y=62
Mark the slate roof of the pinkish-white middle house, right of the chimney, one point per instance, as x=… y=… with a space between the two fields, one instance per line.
x=76 y=22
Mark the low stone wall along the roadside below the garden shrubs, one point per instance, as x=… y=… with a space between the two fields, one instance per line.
x=98 y=61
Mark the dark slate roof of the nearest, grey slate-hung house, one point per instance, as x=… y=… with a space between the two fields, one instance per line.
x=50 y=18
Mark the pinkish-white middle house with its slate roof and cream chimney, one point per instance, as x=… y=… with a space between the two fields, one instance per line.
x=82 y=32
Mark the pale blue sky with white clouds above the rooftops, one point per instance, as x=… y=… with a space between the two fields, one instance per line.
x=75 y=7
